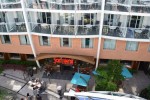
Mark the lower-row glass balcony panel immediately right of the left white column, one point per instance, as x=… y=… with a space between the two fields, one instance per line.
x=40 y=28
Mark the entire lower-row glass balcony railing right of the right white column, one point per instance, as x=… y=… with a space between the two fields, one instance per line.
x=126 y=32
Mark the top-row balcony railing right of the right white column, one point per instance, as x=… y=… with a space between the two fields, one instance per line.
x=140 y=6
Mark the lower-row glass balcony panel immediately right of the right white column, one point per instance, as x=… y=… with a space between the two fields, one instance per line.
x=114 y=31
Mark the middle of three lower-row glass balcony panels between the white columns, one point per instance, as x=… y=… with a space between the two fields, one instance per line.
x=64 y=30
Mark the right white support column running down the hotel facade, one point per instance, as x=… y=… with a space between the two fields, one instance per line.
x=100 y=33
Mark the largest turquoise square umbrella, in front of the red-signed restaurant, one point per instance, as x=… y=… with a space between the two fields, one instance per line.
x=80 y=79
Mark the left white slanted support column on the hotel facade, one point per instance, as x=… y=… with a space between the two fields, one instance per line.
x=28 y=31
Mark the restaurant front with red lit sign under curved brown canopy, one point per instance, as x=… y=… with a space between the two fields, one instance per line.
x=61 y=62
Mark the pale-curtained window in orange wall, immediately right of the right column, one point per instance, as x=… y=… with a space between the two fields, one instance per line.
x=109 y=44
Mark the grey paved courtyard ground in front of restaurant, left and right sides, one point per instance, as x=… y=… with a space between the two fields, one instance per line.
x=14 y=80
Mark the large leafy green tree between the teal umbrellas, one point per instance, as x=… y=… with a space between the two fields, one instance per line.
x=109 y=77
